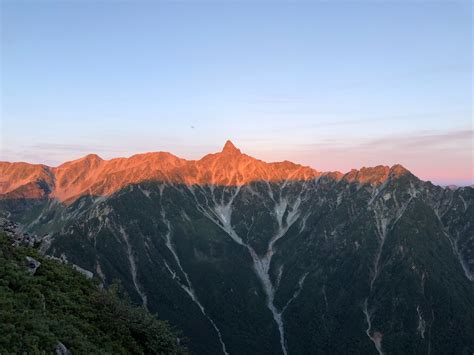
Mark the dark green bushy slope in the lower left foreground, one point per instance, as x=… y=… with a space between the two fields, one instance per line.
x=57 y=304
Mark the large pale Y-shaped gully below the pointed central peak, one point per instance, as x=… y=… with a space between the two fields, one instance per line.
x=220 y=213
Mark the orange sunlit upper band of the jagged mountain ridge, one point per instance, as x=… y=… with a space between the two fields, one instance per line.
x=92 y=175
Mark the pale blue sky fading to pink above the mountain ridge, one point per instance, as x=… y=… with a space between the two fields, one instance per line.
x=333 y=85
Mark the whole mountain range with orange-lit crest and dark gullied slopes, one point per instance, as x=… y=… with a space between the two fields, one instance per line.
x=248 y=257
